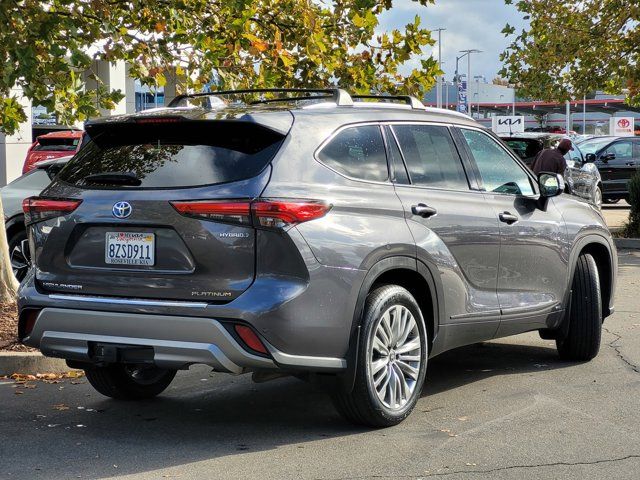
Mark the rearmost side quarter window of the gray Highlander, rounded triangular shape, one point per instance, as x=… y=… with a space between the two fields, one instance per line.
x=357 y=152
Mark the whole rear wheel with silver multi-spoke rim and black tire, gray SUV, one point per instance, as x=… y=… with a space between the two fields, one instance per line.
x=387 y=306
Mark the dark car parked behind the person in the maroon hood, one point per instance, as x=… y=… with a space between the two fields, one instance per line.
x=581 y=175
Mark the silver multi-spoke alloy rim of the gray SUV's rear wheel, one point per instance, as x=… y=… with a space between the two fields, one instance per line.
x=395 y=357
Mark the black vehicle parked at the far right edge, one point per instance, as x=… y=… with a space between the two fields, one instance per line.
x=618 y=159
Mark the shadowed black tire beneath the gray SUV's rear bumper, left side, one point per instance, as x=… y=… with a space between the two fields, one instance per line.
x=119 y=381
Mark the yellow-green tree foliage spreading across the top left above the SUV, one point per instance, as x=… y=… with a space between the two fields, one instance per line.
x=45 y=47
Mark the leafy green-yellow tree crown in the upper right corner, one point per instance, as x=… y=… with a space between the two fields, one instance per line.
x=572 y=48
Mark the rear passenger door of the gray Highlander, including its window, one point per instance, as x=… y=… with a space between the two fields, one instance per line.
x=450 y=221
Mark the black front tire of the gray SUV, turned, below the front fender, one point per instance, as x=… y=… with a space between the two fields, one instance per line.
x=582 y=340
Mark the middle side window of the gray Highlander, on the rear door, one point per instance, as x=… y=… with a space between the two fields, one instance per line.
x=431 y=157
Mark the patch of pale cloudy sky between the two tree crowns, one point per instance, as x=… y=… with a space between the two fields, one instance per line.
x=469 y=24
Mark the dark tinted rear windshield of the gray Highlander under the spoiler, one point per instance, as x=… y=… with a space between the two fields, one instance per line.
x=172 y=155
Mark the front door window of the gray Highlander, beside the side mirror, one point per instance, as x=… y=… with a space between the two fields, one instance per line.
x=499 y=171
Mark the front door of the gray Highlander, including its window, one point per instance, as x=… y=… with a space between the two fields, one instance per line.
x=532 y=268
